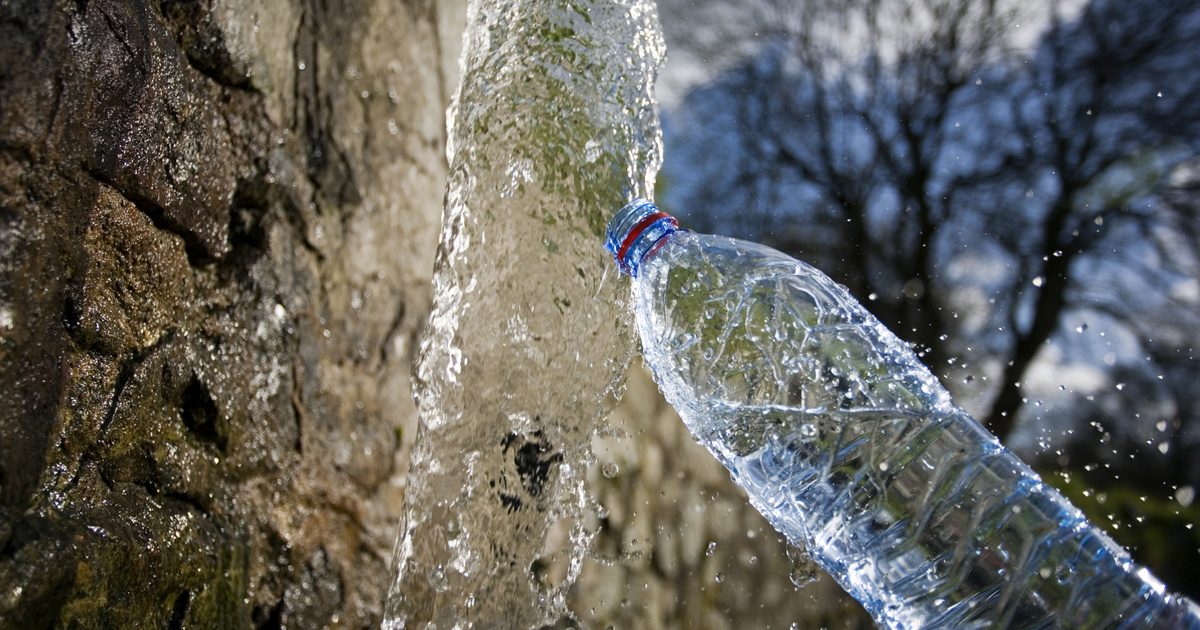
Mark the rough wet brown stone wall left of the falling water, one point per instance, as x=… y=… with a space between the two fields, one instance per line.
x=218 y=223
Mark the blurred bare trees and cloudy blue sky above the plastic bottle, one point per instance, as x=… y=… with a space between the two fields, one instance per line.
x=1010 y=187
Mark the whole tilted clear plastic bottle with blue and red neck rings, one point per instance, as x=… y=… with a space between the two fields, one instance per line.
x=850 y=447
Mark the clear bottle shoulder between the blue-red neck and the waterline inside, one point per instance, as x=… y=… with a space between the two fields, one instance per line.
x=739 y=325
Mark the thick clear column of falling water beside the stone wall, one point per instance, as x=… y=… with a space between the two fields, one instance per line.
x=553 y=128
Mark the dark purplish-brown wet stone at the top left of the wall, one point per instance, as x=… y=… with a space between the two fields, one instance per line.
x=149 y=124
